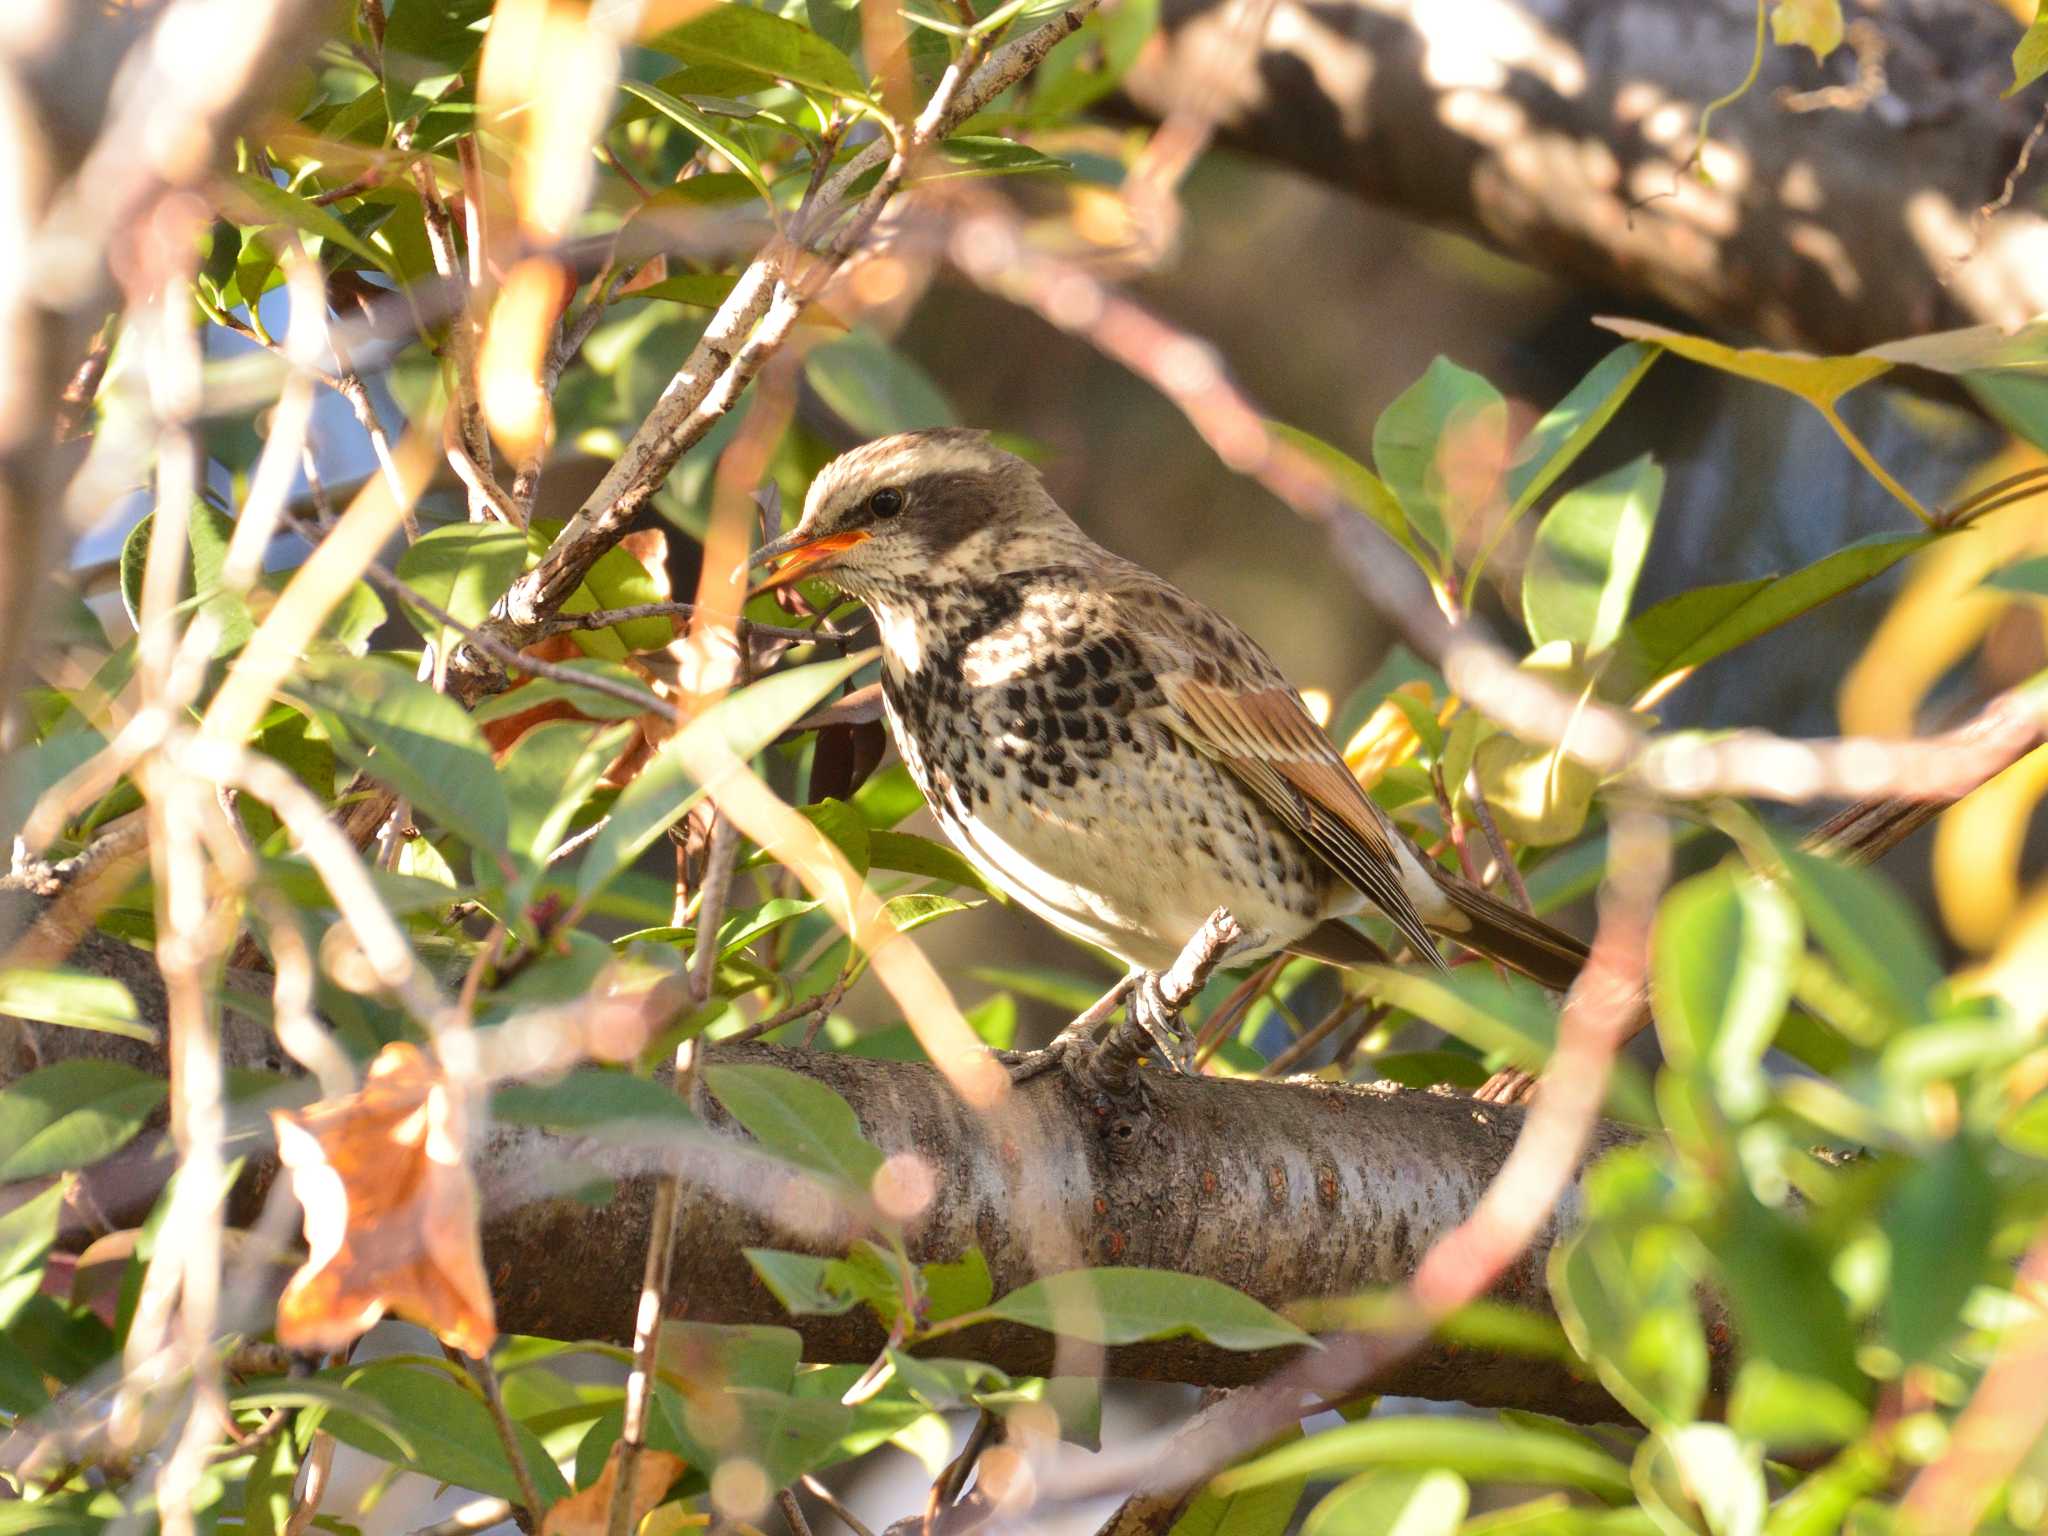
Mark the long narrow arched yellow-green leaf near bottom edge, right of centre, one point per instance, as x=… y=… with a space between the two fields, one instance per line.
x=1476 y=1449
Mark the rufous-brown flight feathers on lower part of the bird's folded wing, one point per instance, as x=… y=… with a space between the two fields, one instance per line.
x=1271 y=742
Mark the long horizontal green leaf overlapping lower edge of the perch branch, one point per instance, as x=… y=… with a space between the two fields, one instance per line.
x=1132 y=1306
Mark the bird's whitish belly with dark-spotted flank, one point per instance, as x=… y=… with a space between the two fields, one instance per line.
x=1129 y=849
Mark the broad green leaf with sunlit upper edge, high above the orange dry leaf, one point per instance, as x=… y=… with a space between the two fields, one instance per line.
x=419 y=742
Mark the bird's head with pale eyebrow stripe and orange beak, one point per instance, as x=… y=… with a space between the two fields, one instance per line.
x=919 y=511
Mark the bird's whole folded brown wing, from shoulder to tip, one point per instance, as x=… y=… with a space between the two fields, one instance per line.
x=1228 y=699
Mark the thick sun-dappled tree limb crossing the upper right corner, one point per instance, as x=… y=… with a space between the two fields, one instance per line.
x=1558 y=132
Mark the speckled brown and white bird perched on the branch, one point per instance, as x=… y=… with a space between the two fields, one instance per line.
x=1105 y=749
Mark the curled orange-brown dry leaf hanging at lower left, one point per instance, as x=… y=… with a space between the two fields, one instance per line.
x=390 y=1211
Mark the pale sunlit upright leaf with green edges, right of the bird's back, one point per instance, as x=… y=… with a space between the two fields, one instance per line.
x=1586 y=560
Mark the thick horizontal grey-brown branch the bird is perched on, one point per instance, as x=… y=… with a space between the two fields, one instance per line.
x=1285 y=1191
